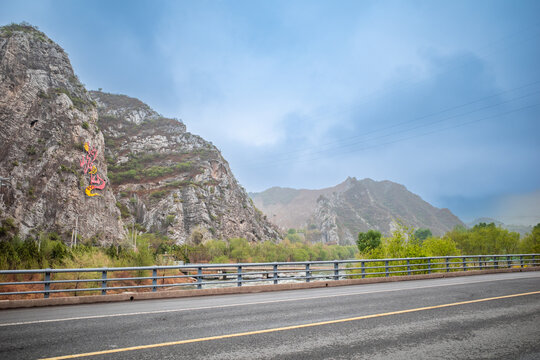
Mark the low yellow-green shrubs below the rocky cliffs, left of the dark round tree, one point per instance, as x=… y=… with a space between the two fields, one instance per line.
x=49 y=251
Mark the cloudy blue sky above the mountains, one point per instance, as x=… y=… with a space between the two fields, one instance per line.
x=440 y=96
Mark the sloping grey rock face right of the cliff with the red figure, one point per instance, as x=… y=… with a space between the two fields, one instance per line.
x=170 y=181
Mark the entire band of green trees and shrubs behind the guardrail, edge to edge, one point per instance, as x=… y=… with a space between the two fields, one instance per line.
x=49 y=251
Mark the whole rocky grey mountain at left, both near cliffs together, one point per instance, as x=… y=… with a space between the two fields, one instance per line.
x=104 y=161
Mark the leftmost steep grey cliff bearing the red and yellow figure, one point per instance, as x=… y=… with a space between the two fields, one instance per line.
x=46 y=116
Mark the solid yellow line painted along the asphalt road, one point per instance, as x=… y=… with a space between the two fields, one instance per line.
x=293 y=327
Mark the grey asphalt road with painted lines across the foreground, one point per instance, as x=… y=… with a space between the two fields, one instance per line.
x=493 y=316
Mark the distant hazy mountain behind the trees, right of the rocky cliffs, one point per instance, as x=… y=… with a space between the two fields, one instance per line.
x=337 y=214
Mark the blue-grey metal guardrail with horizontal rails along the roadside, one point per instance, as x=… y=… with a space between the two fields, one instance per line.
x=199 y=275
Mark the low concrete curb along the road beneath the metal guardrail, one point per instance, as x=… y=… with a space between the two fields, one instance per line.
x=133 y=296
